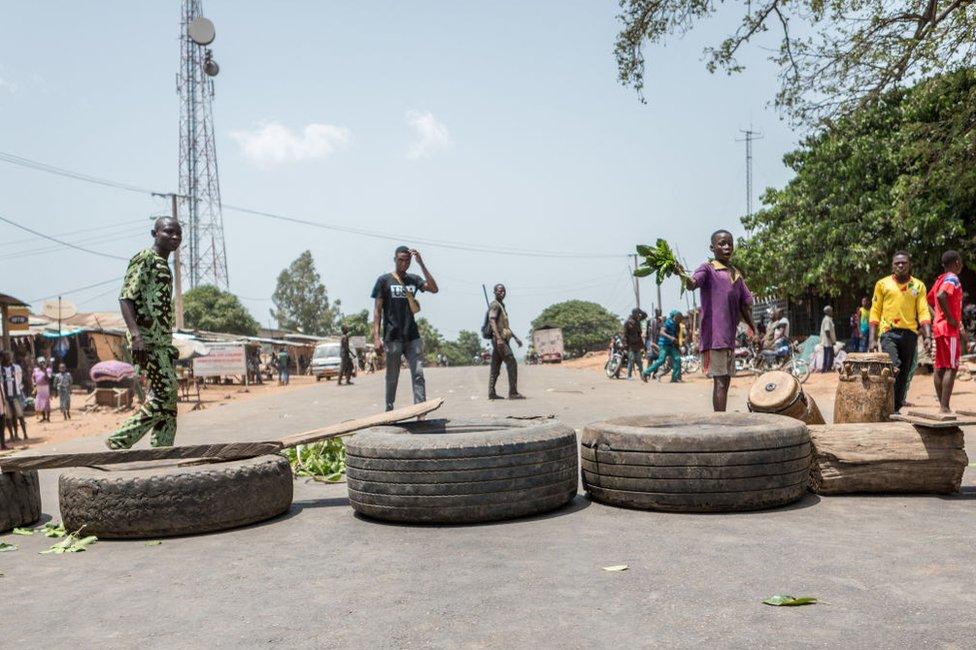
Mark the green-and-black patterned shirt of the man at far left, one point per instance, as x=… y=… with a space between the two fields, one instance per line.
x=148 y=284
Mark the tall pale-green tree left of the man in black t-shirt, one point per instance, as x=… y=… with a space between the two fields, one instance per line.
x=301 y=300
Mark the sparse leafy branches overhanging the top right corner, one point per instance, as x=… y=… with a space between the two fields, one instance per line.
x=832 y=56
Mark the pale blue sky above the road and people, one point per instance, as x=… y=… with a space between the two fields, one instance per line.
x=495 y=123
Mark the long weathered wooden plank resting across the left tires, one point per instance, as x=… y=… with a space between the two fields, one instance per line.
x=221 y=451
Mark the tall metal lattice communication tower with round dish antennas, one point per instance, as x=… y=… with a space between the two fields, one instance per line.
x=206 y=261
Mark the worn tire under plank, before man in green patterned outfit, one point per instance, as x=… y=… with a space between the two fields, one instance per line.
x=166 y=499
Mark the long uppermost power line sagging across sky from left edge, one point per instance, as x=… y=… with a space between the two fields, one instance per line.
x=363 y=232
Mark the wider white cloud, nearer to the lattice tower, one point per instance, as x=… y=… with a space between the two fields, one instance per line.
x=273 y=144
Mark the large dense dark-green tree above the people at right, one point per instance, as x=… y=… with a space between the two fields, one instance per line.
x=900 y=174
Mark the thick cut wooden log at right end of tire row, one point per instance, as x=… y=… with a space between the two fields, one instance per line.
x=886 y=457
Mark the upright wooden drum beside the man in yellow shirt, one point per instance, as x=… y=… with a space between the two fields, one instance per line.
x=865 y=392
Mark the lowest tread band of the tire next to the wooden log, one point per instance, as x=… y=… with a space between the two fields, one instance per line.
x=699 y=502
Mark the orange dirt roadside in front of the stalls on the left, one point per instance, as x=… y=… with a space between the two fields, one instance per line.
x=104 y=420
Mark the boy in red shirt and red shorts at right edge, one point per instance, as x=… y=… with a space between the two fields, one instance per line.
x=945 y=297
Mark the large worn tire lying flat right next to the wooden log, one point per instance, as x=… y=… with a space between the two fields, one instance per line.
x=713 y=463
